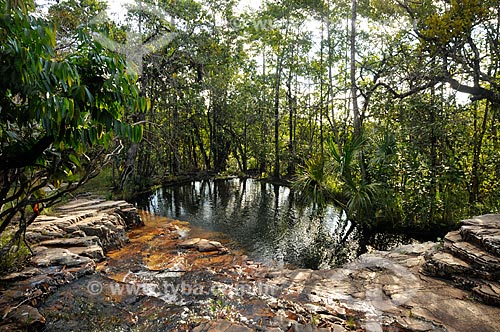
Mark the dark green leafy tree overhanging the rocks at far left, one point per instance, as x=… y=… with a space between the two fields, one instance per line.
x=59 y=113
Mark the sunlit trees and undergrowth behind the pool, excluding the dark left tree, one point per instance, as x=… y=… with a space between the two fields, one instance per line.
x=392 y=115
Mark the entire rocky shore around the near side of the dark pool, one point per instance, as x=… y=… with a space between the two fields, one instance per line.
x=96 y=267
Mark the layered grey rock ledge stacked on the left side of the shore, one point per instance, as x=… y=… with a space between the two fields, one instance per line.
x=66 y=246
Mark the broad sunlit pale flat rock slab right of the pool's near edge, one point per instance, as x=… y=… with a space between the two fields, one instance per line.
x=388 y=290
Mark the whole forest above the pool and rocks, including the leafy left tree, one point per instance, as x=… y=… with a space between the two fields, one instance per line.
x=389 y=109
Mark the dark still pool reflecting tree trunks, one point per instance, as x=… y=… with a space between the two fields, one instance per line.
x=266 y=220
